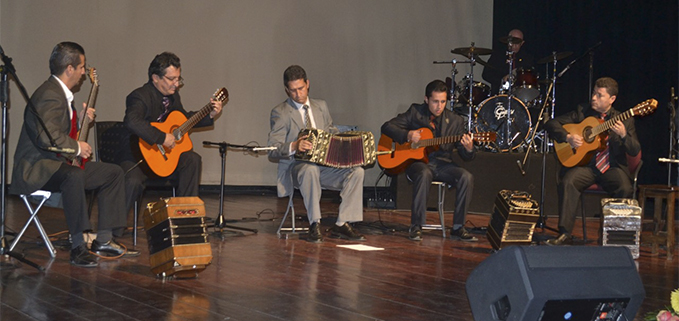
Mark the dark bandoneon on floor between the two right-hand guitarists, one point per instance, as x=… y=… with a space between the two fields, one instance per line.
x=513 y=220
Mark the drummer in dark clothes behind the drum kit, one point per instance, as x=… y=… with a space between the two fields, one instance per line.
x=496 y=72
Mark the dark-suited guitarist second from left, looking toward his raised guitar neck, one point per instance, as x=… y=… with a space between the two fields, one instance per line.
x=153 y=102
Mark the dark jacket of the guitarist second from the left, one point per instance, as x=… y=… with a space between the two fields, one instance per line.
x=143 y=106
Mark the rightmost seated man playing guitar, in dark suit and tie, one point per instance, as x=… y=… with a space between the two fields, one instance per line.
x=608 y=168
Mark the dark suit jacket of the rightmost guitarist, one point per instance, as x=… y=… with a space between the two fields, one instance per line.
x=618 y=147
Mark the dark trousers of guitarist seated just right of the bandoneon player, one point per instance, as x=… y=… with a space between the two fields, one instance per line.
x=422 y=175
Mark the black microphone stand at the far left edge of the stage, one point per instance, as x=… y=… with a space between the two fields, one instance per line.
x=4 y=98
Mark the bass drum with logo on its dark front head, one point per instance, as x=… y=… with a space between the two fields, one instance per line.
x=492 y=117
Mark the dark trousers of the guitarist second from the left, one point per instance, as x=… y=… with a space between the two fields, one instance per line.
x=186 y=177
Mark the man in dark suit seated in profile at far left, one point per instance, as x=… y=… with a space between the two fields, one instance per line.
x=36 y=167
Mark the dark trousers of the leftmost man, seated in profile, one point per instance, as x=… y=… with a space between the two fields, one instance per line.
x=73 y=182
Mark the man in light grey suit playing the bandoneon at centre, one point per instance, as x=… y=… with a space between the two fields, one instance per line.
x=287 y=120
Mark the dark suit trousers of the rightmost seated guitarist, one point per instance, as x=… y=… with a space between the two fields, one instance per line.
x=575 y=180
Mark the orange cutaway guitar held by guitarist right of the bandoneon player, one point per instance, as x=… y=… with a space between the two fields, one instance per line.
x=394 y=158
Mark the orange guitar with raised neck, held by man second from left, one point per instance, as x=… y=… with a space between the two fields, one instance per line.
x=163 y=161
